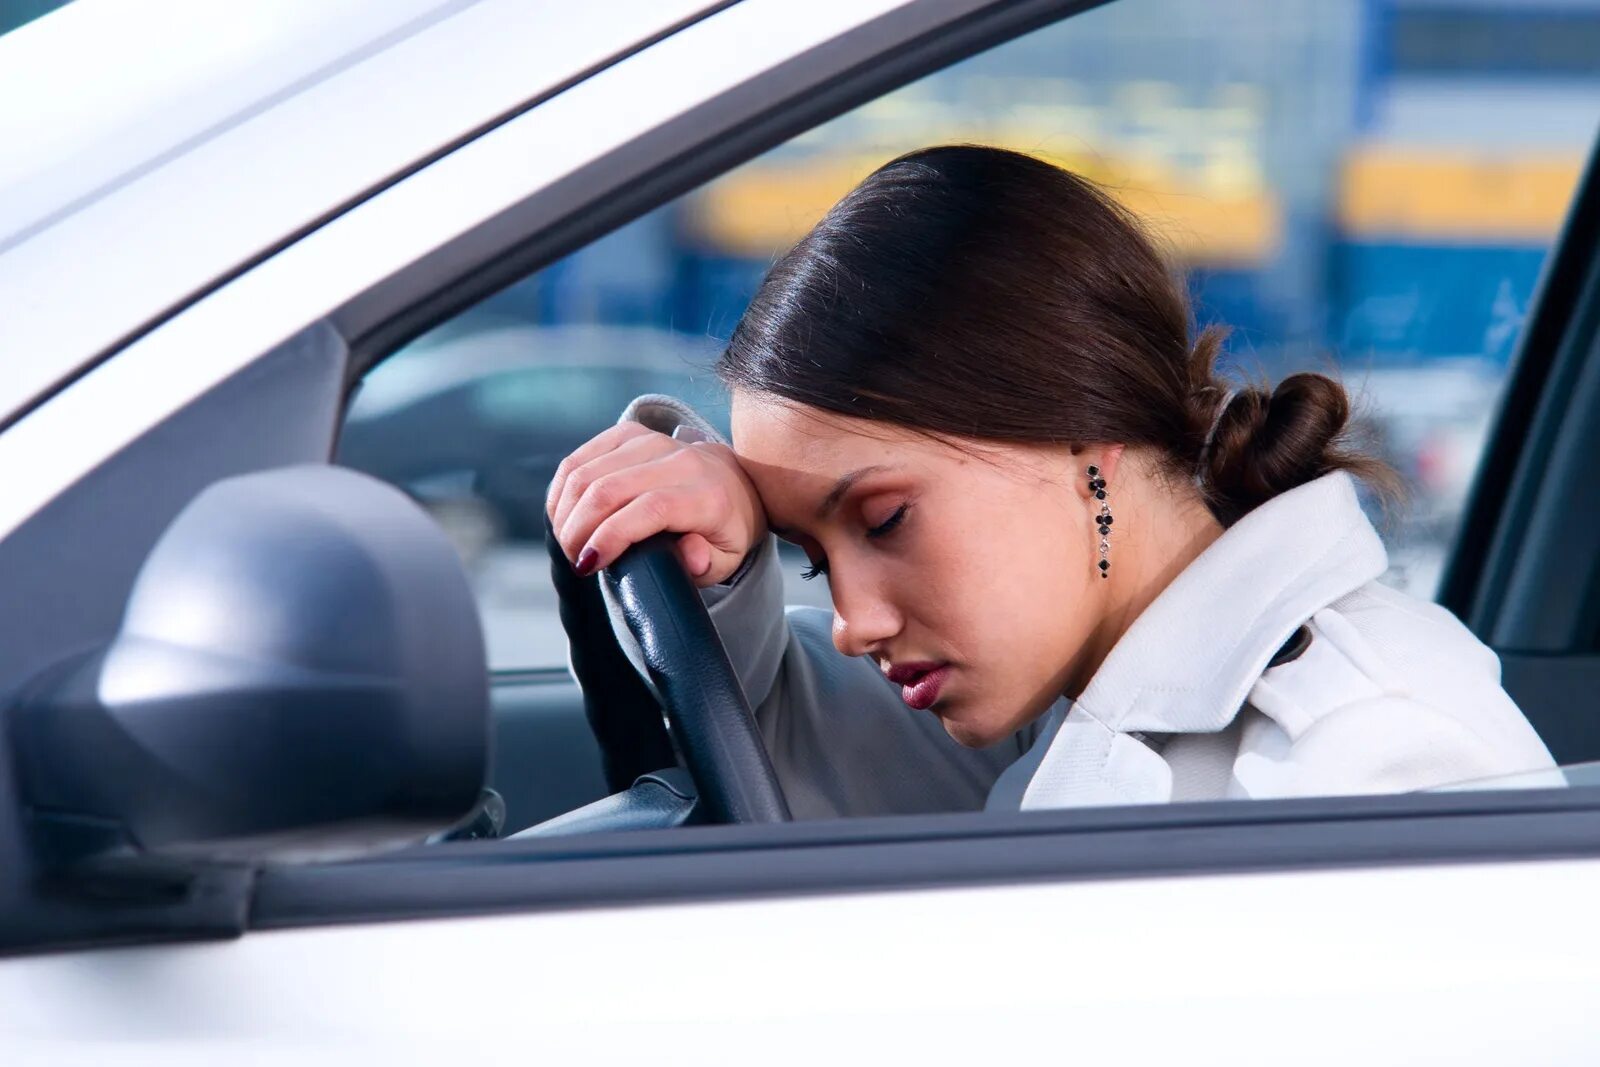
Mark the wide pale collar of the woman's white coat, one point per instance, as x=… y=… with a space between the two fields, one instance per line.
x=1191 y=658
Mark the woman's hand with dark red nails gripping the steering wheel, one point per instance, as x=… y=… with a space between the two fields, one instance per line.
x=628 y=484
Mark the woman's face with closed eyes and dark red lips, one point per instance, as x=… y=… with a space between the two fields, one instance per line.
x=969 y=575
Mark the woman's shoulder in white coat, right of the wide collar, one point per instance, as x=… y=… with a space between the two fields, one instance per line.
x=1393 y=695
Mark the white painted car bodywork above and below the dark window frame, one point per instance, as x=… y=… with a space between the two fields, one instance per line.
x=134 y=286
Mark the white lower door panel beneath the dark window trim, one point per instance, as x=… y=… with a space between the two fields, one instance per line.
x=1164 y=970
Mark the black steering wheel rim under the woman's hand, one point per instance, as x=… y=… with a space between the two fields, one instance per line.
x=705 y=705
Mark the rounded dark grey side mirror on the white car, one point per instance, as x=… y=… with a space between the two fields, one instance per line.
x=300 y=673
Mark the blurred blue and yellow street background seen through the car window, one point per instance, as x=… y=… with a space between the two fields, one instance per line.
x=1364 y=186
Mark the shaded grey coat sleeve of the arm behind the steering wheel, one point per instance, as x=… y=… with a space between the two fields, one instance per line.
x=841 y=740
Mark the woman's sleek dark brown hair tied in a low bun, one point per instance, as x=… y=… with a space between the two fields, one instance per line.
x=975 y=292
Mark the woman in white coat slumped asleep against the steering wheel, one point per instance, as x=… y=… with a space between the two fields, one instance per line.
x=1050 y=532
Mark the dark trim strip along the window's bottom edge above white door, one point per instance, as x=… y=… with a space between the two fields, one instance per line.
x=900 y=853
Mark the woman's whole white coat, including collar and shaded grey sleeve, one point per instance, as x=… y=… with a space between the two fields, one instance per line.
x=1390 y=695
